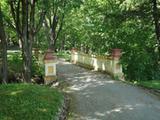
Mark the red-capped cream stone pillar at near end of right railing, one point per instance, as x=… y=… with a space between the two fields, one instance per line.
x=116 y=66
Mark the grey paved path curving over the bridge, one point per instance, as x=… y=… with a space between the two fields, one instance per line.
x=96 y=96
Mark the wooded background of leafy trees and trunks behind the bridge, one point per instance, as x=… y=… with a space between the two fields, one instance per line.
x=93 y=26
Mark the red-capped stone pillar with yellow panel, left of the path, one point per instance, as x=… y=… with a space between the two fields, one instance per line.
x=50 y=61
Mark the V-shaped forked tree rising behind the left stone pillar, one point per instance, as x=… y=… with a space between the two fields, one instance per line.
x=54 y=20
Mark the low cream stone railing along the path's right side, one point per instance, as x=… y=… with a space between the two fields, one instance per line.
x=110 y=65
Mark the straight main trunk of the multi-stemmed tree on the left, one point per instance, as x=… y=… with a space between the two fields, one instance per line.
x=26 y=43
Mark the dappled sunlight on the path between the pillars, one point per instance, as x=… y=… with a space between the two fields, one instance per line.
x=84 y=78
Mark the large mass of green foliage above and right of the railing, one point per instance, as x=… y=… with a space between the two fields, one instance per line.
x=99 y=26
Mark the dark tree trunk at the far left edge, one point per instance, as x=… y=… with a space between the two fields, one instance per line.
x=3 y=41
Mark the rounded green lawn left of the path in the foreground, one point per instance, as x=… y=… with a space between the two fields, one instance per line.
x=28 y=102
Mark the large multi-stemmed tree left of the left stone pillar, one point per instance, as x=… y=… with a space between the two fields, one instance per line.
x=23 y=13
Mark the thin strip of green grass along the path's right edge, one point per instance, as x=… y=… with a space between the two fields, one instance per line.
x=154 y=84
